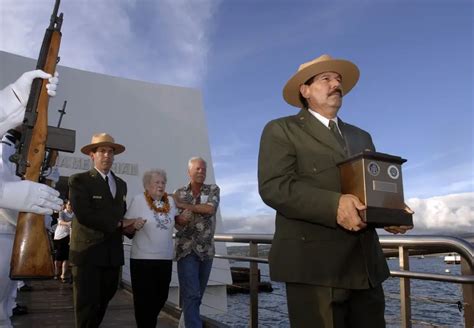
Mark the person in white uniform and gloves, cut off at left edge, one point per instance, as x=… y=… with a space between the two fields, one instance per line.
x=17 y=195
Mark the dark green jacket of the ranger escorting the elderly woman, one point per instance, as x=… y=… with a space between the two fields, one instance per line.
x=95 y=237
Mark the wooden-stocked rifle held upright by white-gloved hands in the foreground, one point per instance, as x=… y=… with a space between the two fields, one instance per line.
x=31 y=255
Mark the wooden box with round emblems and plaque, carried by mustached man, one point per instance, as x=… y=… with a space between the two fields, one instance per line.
x=376 y=179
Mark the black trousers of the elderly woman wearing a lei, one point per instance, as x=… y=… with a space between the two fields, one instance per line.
x=150 y=283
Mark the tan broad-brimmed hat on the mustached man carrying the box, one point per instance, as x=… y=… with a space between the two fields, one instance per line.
x=348 y=71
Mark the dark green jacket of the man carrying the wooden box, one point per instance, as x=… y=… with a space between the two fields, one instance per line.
x=299 y=178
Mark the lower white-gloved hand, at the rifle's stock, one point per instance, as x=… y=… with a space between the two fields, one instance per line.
x=29 y=196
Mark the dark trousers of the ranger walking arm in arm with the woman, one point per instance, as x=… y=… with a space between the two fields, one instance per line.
x=93 y=288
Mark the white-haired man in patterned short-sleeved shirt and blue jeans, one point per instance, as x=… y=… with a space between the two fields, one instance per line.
x=195 y=239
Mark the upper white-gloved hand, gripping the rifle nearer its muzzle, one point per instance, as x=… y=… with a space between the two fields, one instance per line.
x=22 y=86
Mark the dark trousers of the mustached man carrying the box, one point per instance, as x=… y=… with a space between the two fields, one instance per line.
x=326 y=307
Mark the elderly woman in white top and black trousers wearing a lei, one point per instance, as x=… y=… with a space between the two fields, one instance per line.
x=152 y=248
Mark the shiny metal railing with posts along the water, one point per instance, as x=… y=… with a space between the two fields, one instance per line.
x=399 y=246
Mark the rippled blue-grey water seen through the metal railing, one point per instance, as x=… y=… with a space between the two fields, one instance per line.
x=434 y=304
